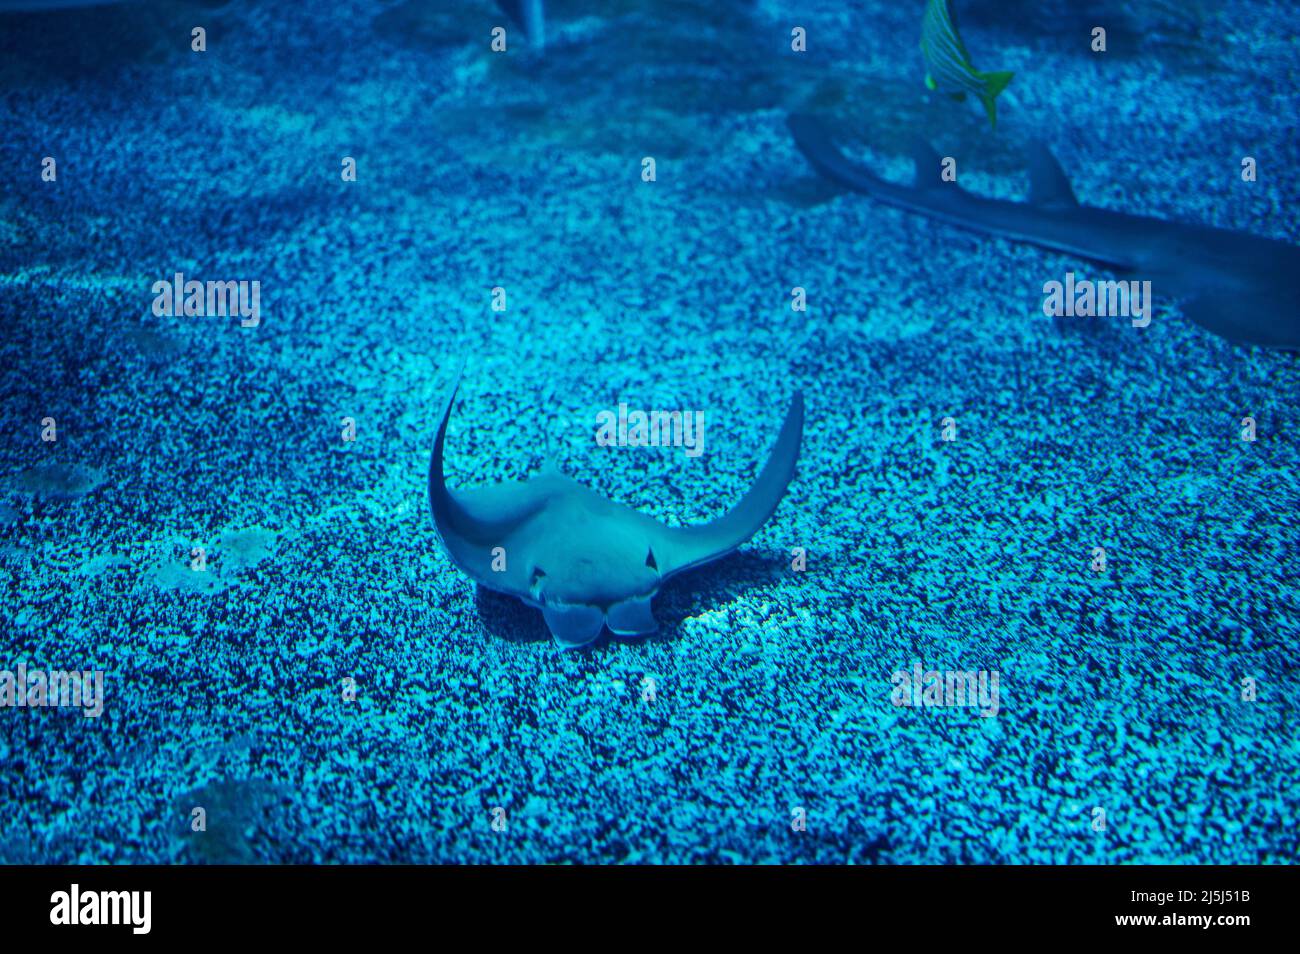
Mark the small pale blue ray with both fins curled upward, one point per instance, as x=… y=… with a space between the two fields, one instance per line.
x=587 y=562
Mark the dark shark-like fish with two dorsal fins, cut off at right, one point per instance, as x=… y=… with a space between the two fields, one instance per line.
x=1241 y=287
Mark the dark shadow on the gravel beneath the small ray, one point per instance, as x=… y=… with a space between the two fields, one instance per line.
x=723 y=582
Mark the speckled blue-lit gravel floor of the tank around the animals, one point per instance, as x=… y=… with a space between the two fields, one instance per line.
x=291 y=667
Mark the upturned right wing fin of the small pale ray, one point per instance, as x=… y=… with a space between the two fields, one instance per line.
x=696 y=545
